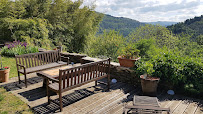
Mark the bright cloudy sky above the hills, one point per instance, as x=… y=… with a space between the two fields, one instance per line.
x=150 y=10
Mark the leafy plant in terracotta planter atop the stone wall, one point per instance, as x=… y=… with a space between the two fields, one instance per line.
x=128 y=56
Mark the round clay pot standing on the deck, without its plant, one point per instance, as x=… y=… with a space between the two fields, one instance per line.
x=149 y=85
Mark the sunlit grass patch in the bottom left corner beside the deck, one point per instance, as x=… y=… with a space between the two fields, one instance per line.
x=10 y=104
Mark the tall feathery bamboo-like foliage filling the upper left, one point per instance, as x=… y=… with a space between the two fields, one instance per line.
x=42 y=22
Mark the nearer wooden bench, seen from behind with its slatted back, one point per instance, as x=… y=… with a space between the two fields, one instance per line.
x=77 y=76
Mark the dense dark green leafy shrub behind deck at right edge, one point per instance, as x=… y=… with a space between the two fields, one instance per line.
x=184 y=74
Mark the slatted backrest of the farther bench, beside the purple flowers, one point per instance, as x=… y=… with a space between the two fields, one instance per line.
x=37 y=59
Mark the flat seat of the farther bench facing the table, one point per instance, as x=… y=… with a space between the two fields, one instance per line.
x=43 y=67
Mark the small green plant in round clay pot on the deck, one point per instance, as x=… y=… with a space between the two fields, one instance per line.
x=148 y=82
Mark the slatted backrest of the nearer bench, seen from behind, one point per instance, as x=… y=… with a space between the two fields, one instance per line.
x=77 y=76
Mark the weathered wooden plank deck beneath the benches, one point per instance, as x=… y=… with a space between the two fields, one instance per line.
x=94 y=100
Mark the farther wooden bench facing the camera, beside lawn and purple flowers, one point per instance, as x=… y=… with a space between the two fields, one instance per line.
x=33 y=62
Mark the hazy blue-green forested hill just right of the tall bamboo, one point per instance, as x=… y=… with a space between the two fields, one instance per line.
x=124 y=25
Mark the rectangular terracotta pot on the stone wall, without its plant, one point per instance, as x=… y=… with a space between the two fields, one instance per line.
x=127 y=62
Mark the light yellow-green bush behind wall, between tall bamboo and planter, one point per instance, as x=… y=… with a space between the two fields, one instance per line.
x=106 y=44
